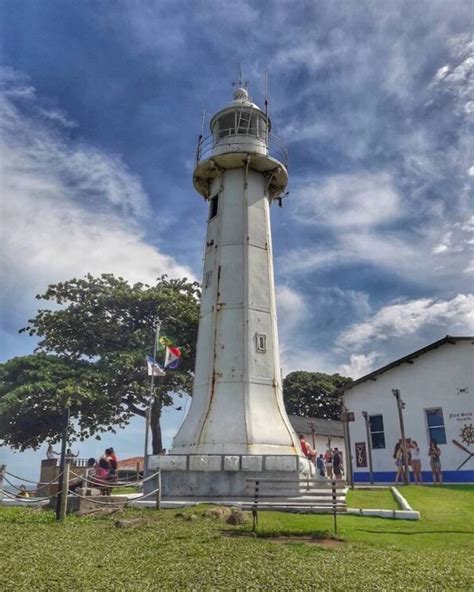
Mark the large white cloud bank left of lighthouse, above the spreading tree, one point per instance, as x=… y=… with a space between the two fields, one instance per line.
x=67 y=209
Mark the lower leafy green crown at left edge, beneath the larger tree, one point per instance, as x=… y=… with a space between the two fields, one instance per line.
x=34 y=393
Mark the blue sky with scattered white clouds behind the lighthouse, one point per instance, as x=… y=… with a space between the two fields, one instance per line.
x=100 y=112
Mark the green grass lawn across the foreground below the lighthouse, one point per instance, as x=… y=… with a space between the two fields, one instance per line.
x=167 y=552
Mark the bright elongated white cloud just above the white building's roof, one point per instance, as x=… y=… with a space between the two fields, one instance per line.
x=402 y=319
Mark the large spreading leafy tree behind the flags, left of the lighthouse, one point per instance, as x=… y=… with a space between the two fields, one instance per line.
x=101 y=329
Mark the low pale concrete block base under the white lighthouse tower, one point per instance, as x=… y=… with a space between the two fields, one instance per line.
x=220 y=476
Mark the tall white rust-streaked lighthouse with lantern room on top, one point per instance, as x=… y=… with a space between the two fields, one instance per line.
x=237 y=425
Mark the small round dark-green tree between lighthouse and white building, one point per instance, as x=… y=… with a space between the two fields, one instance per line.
x=314 y=394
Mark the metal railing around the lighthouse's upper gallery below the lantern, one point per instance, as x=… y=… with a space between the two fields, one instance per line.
x=250 y=141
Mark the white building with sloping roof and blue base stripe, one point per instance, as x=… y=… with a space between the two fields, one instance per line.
x=436 y=384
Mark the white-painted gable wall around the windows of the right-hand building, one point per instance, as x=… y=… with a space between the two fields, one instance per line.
x=433 y=380
